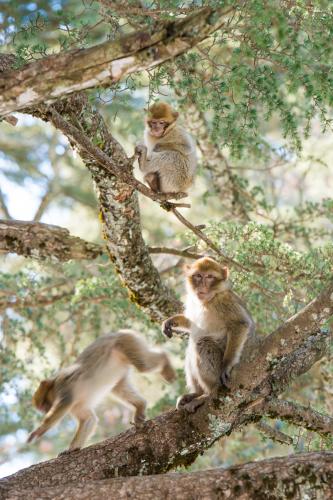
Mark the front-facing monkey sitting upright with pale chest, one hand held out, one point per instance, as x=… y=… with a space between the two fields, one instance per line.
x=218 y=323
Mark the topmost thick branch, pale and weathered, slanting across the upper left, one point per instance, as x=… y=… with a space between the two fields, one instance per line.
x=58 y=75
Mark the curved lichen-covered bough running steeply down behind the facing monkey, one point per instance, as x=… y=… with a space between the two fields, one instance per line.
x=119 y=207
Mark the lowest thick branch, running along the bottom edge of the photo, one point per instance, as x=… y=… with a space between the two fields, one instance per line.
x=300 y=476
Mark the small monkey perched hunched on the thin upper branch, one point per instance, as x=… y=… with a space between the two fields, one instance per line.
x=168 y=158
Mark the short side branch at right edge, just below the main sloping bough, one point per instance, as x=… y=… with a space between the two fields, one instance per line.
x=302 y=416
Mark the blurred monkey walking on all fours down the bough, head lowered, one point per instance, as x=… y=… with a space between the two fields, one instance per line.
x=102 y=367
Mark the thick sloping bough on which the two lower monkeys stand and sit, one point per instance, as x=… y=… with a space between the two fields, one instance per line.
x=176 y=437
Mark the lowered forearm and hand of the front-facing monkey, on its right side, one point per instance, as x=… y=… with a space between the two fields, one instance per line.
x=238 y=331
